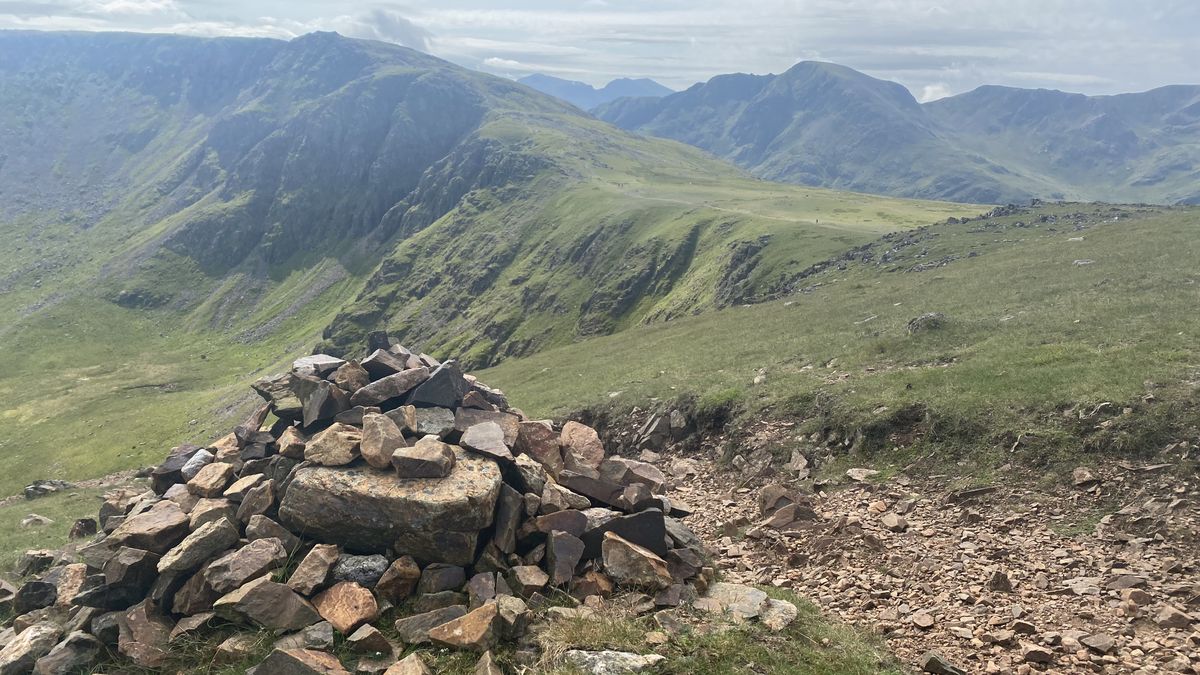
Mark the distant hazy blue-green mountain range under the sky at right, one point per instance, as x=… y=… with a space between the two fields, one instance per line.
x=820 y=124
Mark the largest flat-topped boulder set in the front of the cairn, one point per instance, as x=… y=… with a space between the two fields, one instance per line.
x=368 y=511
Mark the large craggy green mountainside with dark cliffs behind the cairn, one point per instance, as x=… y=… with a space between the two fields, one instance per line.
x=181 y=212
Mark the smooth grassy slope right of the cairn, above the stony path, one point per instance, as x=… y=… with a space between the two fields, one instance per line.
x=1029 y=333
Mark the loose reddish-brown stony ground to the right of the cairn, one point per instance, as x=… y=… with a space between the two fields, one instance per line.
x=1097 y=575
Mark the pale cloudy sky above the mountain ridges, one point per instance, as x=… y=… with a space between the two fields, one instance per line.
x=935 y=49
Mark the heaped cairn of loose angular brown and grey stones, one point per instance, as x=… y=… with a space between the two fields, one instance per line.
x=391 y=485
